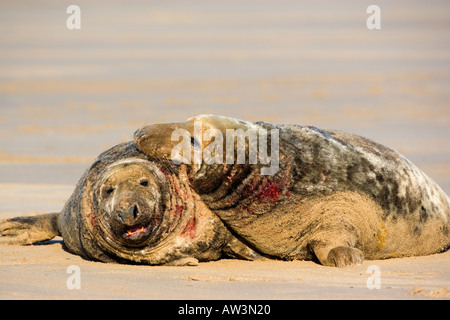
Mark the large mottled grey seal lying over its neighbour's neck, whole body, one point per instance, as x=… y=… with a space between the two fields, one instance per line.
x=333 y=196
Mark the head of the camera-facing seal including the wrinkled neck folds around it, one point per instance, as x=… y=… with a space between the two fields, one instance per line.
x=133 y=208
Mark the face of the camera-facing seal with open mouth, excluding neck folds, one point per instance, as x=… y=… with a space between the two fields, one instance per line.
x=131 y=204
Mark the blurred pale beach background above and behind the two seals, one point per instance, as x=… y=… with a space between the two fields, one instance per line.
x=67 y=95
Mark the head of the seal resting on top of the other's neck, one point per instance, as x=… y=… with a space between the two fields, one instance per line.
x=216 y=143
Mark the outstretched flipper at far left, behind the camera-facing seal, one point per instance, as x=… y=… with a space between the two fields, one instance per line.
x=29 y=230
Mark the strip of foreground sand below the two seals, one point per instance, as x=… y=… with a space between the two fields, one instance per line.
x=41 y=272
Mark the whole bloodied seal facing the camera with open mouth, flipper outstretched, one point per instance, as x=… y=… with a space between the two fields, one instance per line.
x=128 y=208
